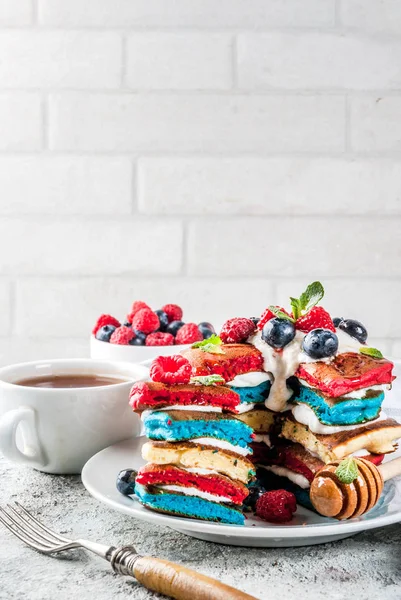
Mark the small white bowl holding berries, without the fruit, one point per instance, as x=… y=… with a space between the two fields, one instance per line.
x=106 y=351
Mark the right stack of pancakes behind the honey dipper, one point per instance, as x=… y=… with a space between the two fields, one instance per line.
x=336 y=412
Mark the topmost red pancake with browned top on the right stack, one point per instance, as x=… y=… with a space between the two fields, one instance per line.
x=347 y=372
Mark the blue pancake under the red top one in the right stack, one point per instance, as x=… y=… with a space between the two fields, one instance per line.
x=341 y=411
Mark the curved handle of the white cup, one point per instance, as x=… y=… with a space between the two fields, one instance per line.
x=33 y=454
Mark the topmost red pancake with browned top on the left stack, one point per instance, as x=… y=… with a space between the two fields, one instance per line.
x=236 y=359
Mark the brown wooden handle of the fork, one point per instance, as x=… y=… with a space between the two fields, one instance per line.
x=180 y=583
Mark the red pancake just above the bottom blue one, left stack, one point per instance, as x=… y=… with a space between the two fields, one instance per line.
x=219 y=485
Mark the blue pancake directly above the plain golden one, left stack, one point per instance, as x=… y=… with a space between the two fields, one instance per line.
x=173 y=426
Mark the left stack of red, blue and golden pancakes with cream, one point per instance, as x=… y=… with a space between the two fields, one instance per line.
x=203 y=437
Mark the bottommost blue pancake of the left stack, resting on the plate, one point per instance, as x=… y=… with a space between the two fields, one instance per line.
x=188 y=506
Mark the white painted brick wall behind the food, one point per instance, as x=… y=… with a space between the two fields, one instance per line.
x=220 y=154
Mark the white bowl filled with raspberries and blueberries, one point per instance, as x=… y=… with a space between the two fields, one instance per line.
x=145 y=333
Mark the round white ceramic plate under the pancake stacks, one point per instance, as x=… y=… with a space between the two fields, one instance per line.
x=99 y=477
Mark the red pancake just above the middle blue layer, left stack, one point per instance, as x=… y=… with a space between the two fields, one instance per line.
x=149 y=394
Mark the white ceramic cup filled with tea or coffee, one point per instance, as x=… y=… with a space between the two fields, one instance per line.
x=56 y=430
